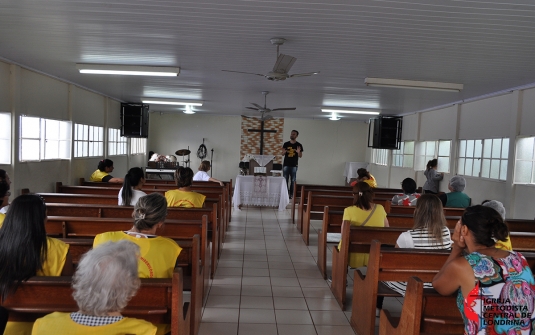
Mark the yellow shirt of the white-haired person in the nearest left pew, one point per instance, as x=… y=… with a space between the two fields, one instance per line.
x=61 y=323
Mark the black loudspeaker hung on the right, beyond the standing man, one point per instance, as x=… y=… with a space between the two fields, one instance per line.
x=385 y=132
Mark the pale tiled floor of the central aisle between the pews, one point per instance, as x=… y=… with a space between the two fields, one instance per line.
x=268 y=283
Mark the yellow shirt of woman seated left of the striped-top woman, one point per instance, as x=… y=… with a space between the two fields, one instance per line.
x=356 y=216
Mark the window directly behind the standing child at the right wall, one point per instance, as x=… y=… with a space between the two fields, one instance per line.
x=428 y=150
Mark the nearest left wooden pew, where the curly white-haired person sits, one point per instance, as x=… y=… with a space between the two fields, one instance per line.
x=157 y=301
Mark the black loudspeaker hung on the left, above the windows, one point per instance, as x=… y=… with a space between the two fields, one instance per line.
x=134 y=120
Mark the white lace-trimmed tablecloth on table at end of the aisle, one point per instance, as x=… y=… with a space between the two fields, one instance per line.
x=261 y=191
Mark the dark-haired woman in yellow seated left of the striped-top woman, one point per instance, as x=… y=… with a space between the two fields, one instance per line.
x=363 y=213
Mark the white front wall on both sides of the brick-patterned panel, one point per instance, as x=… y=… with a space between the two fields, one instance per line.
x=327 y=145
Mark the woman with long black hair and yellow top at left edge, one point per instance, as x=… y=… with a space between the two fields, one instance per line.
x=26 y=251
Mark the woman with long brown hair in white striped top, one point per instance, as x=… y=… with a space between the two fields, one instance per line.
x=429 y=232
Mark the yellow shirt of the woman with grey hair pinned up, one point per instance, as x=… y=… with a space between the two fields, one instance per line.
x=158 y=254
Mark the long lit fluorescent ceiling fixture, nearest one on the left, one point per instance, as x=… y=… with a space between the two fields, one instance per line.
x=129 y=70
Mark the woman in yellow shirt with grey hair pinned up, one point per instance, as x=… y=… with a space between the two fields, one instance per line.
x=158 y=254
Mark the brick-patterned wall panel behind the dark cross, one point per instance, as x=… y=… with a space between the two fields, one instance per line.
x=250 y=141
